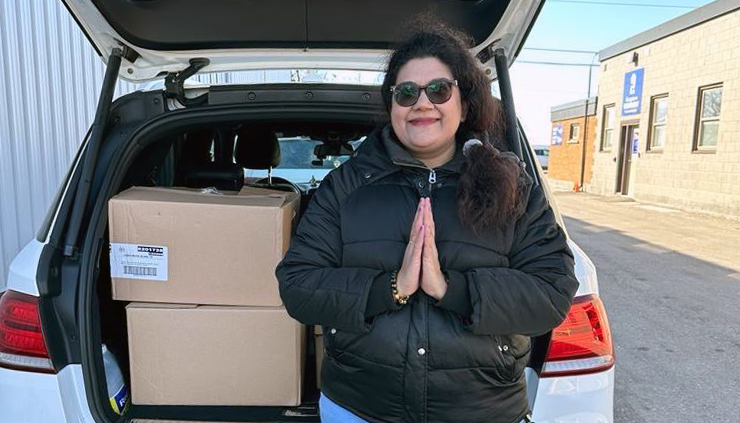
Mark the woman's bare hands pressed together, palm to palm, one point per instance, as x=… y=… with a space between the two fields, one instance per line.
x=420 y=268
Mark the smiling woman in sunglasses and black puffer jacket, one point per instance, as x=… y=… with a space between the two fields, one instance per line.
x=427 y=267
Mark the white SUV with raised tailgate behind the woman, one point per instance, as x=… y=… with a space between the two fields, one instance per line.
x=57 y=313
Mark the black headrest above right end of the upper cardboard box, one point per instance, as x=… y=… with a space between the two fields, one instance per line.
x=257 y=148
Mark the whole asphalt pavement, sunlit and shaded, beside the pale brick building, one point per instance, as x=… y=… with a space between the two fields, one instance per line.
x=670 y=281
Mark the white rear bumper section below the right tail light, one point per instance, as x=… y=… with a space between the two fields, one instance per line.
x=575 y=399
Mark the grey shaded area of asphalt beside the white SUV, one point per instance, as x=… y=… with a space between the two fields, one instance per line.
x=675 y=326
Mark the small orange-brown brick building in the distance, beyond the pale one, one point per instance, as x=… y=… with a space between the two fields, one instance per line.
x=571 y=144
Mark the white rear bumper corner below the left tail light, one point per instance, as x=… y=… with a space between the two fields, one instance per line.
x=27 y=397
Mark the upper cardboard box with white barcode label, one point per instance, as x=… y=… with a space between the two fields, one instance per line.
x=183 y=246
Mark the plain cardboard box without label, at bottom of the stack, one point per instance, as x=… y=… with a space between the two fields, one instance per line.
x=214 y=355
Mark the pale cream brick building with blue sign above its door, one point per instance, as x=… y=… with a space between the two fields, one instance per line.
x=669 y=113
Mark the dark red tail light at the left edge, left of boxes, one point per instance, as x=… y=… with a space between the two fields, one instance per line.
x=22 y=344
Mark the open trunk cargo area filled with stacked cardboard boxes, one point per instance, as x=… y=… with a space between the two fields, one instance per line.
x=189 y=306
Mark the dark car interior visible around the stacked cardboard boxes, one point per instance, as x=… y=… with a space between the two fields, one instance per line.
x=216 y=158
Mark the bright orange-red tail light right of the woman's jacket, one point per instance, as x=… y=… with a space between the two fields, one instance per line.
x=582 y=343
